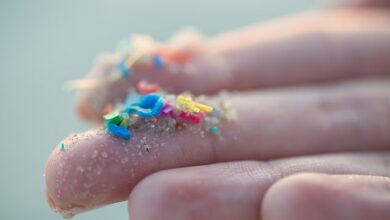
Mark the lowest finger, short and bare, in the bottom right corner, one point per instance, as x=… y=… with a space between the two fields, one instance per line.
x=321 y=197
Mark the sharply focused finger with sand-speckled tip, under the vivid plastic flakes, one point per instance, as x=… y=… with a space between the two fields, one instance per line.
x=271 y=124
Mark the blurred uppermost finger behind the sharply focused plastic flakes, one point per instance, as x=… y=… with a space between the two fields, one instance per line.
x=307 y=48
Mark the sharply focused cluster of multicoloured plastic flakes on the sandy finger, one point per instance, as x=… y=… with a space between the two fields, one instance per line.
x=163 y=113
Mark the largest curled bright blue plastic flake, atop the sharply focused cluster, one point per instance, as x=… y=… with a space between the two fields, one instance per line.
x=149 y=106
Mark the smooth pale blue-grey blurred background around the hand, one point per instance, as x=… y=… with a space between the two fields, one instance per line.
x=44 y=43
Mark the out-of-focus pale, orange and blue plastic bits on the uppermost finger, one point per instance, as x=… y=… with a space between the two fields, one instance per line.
x=144 y=50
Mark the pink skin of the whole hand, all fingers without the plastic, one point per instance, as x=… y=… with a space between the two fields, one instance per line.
x=312 y=92
